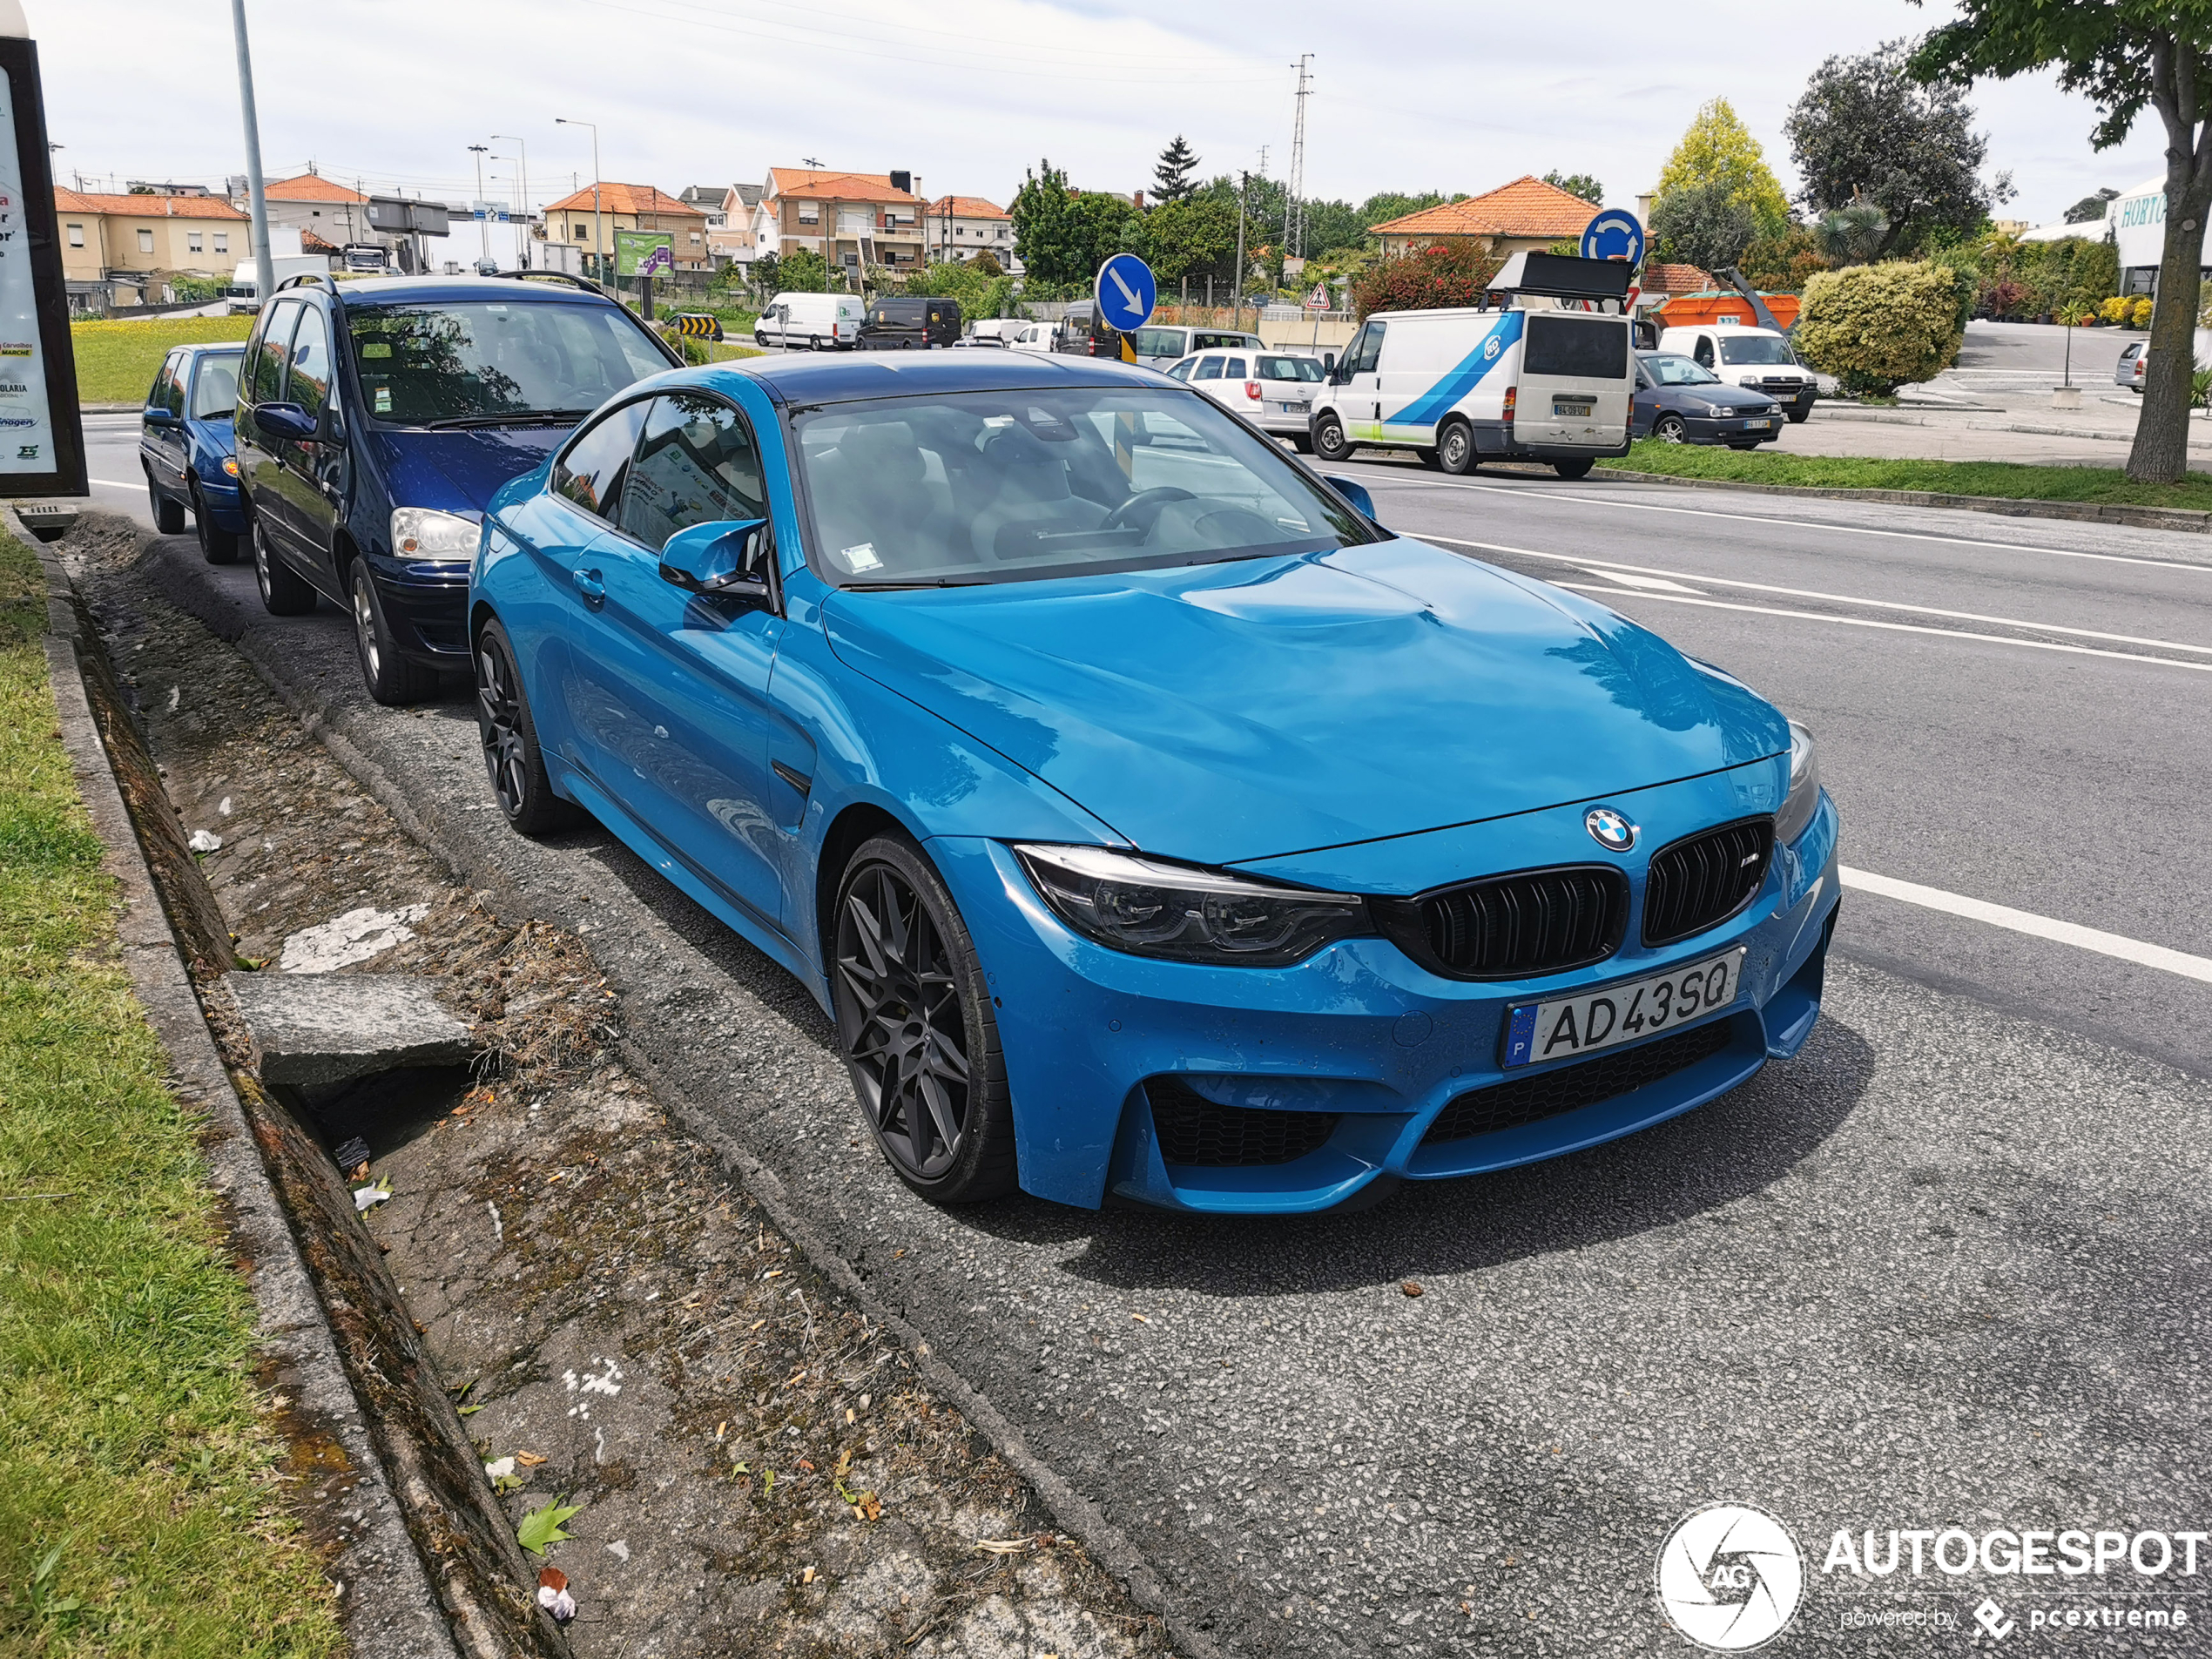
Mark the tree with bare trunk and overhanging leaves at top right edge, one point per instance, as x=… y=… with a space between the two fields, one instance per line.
x=2125 y=56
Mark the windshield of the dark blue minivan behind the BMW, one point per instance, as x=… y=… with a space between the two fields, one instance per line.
x=488 y=362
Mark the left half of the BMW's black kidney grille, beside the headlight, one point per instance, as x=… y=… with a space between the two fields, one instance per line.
x=1507 y=928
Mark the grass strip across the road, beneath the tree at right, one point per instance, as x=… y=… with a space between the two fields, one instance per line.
x=1994 y=479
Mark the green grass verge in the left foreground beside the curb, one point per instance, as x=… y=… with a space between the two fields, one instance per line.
x=138 y=1481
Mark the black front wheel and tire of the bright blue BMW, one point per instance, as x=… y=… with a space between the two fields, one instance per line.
x=917 y=1032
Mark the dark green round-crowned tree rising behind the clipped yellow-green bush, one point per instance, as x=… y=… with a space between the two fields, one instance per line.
x=1868 y=132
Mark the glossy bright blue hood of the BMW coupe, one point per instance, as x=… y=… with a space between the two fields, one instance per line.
x=1266 y=707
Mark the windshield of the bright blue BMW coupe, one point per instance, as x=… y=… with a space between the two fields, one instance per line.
x=1019 y=486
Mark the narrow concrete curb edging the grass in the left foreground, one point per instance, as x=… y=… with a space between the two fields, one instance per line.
x=388 y=1607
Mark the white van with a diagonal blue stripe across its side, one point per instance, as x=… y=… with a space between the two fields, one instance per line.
x=1492 y=384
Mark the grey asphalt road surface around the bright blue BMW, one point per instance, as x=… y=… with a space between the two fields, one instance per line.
x=1941 y=1271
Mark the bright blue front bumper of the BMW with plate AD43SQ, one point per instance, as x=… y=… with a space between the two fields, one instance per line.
x=1357 y=1032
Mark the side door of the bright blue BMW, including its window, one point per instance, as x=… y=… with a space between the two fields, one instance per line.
x=693 y=740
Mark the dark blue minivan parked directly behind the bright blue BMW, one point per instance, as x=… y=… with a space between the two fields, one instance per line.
x=379 y=417
